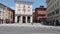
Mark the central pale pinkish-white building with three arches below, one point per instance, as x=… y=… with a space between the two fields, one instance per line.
x=23 y=12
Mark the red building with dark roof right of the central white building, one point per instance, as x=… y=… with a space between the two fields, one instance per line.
x=40 y=14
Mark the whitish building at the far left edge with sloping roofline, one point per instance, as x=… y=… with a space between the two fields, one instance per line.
x=3 y=13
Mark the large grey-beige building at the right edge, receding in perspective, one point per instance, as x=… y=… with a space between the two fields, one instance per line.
x=53 y=11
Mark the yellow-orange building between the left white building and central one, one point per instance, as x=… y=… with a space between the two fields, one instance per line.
x=11 y=15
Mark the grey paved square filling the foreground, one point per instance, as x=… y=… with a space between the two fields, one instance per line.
x=27 y=30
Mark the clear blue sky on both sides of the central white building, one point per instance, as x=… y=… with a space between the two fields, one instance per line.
x=36 y=3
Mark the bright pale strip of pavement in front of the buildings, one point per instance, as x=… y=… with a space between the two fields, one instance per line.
x=29 y=25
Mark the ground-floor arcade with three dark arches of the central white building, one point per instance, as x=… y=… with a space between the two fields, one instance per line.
x=23 y=19
